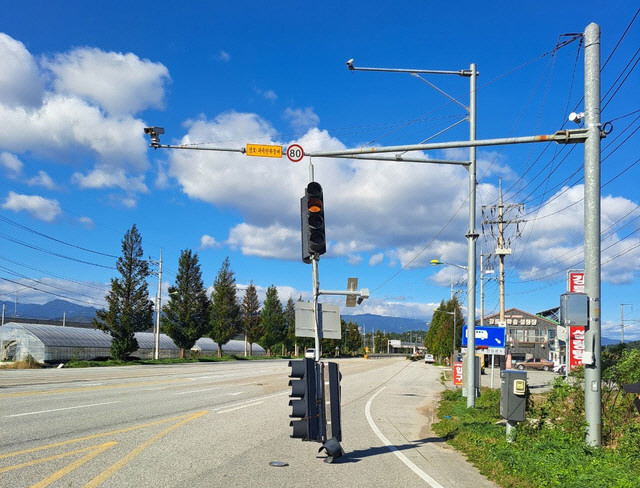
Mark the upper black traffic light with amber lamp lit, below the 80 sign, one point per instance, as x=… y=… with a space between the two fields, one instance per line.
x=314 y=241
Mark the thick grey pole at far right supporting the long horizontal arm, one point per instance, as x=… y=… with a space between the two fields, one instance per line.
x=592 y=259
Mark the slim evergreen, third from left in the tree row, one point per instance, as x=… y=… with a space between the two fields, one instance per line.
x=225 y=317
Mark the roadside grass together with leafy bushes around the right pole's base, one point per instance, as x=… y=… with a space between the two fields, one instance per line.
x=549 y=448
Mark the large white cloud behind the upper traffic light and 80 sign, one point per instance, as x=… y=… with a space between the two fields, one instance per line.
x=368 y=205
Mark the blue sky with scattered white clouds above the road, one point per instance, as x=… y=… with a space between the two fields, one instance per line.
x=79 y=81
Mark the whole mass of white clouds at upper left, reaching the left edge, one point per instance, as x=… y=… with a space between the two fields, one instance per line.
x=77 y=106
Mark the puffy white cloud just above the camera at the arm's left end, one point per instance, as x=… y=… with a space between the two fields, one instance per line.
x=120 y=83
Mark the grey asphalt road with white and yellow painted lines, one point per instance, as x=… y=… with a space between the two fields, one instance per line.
x=219 y=424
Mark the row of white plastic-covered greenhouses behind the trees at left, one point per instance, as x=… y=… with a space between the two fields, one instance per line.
x=53 y=343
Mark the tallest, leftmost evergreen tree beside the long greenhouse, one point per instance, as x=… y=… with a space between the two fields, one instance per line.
x=130 y=309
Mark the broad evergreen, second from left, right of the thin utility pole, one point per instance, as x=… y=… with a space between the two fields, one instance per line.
x=186 y=315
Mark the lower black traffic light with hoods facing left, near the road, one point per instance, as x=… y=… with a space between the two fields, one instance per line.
x=303 y=403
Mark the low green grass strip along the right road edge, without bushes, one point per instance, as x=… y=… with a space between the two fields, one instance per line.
x=542 y=454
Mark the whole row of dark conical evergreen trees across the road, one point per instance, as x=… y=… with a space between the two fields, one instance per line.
x=190 y=314
